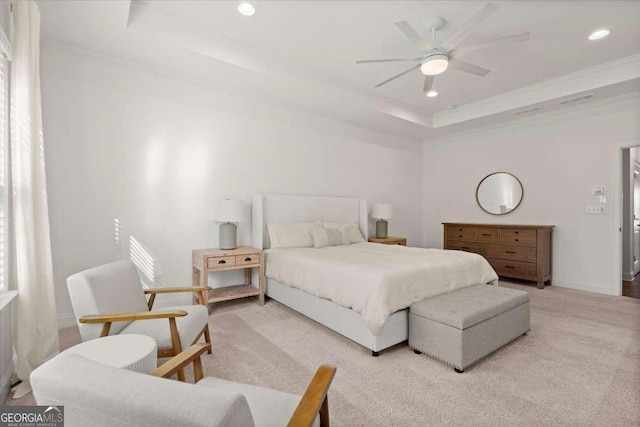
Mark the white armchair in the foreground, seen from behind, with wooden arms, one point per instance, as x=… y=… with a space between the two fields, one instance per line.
x=98 y=395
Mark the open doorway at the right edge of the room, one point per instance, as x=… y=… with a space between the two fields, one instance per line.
x=631 y=222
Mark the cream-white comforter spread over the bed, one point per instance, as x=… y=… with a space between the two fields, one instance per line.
x=376 y=280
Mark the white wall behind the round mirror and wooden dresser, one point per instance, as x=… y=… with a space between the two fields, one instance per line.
x=558 y=159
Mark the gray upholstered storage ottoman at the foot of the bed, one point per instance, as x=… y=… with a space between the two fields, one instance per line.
x=461 y=327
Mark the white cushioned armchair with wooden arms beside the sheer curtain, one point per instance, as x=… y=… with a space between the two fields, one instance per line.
x=110 y=300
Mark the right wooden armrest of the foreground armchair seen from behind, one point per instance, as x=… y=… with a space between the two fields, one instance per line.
x=314 y=399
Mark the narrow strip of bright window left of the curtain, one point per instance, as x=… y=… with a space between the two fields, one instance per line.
x=4 y=143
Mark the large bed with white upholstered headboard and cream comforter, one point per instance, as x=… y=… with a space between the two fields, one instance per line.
x=313 y=281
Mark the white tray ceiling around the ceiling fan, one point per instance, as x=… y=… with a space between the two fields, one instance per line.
x=303 y=53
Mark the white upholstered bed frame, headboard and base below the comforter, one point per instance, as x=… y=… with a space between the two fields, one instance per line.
x=288 y=208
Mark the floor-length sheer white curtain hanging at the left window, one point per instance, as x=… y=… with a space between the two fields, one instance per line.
x=36 y=332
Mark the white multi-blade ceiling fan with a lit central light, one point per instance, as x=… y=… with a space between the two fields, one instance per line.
x=438 y=56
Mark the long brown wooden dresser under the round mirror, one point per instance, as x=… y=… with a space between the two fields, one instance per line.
x=517 y=251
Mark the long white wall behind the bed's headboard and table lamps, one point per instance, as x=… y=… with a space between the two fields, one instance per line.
x=155 y=152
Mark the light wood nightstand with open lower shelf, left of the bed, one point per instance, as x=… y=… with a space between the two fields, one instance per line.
x=207 y=261
